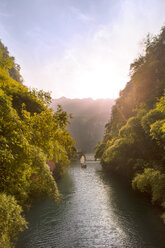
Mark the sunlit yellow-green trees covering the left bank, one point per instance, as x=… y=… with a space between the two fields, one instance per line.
x=30 y=136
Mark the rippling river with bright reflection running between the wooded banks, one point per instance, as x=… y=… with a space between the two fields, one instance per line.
x=96 y=211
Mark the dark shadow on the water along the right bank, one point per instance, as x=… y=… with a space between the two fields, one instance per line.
x=139 y=220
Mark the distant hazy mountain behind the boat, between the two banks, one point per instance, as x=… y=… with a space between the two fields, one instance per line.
x=89 y=119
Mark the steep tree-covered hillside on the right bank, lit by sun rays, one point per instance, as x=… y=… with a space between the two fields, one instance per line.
x=134 y=140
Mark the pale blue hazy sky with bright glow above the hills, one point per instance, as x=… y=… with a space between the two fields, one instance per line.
x=78 y=48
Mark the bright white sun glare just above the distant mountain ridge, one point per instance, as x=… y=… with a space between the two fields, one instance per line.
x=102 y=82
